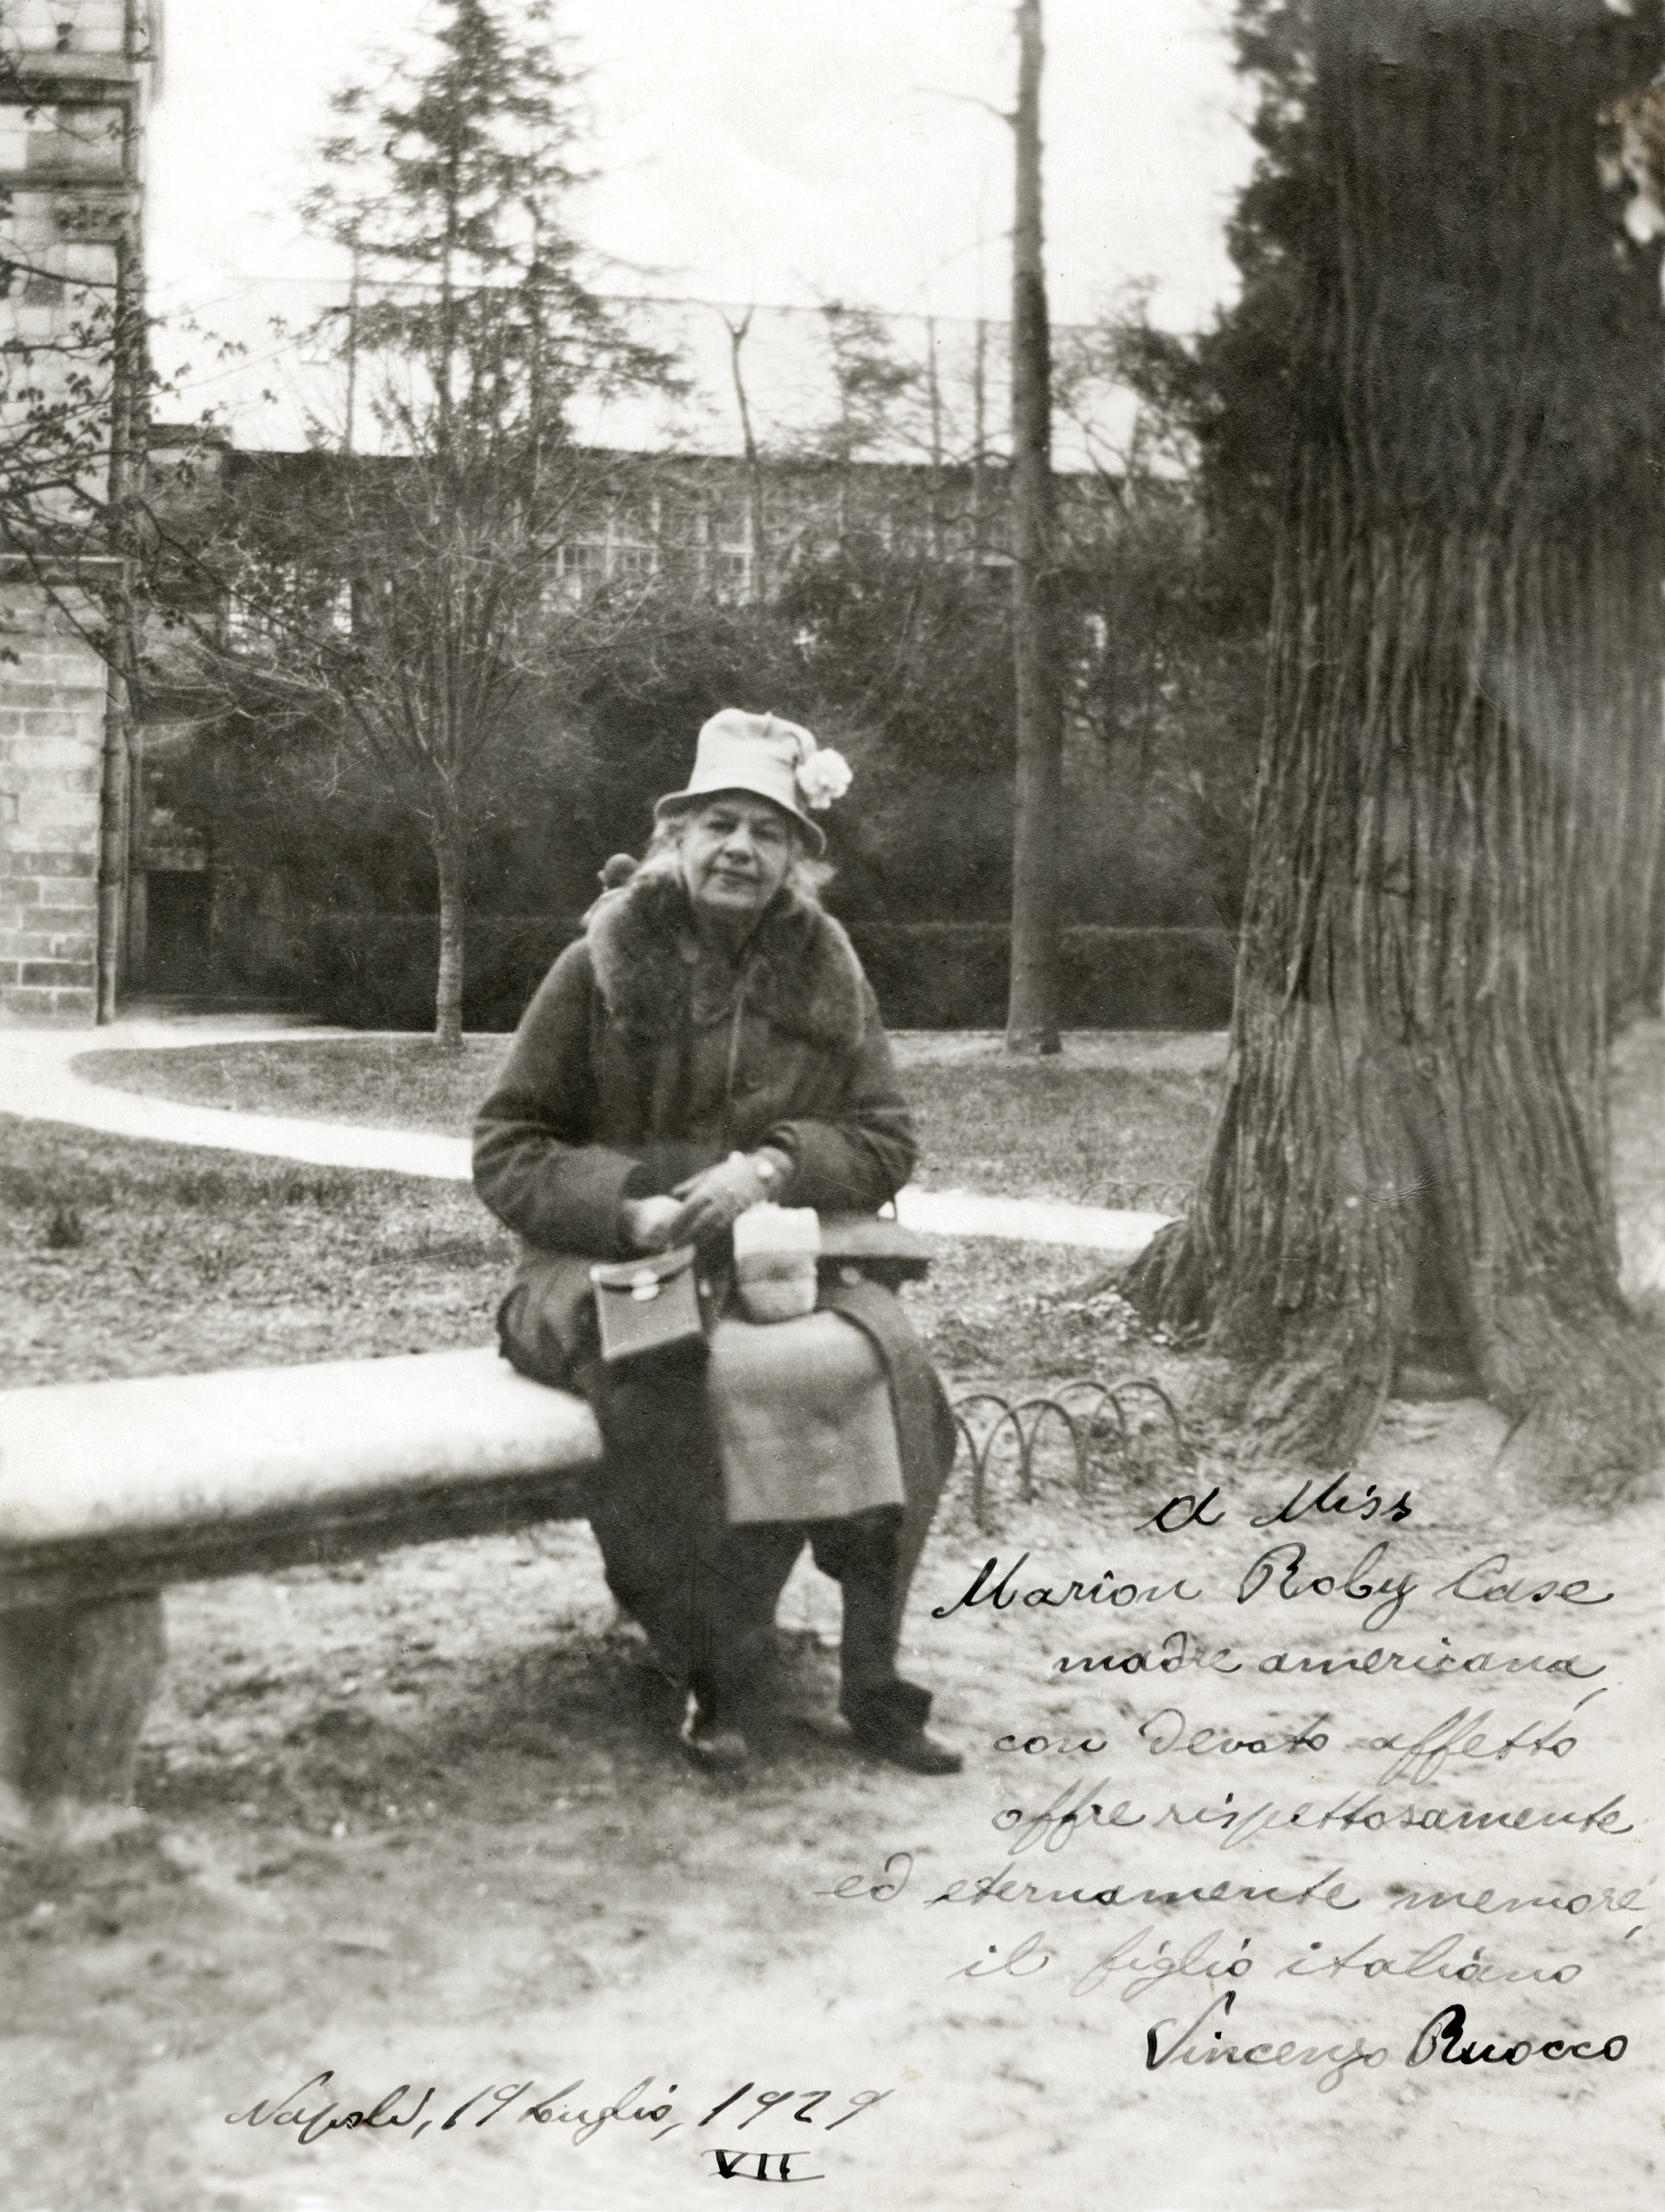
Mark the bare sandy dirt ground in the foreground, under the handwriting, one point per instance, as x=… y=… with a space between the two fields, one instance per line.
x=423 y=1822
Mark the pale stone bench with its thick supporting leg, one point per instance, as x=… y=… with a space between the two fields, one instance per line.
x=114 y=1490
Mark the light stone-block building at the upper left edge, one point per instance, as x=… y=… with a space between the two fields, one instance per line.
x=74 y=87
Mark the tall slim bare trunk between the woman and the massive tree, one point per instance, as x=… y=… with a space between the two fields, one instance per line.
x=1032 y=1008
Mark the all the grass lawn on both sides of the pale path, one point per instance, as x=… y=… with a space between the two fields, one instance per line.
x=134 y=1258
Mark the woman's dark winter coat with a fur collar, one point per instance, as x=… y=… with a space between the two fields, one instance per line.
x=642 y=1061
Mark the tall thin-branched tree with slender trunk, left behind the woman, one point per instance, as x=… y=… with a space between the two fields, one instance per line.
x=406 y=601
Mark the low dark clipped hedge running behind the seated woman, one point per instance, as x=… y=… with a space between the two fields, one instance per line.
x=377 y=972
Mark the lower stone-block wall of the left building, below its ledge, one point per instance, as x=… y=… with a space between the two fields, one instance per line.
x=52 y=735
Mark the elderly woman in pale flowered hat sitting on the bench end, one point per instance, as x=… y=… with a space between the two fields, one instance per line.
x=706 y=1047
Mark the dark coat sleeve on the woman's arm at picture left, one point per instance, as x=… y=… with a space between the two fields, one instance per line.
x=534 y=1160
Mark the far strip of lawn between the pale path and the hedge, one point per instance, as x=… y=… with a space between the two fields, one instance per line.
x=1118 y=1120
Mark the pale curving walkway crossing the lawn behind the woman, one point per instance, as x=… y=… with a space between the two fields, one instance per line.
x=39 y=1083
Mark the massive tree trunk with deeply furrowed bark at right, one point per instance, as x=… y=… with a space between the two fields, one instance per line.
x=1463 y=724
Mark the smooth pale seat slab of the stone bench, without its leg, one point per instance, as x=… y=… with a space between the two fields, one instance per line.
x=112 y=1488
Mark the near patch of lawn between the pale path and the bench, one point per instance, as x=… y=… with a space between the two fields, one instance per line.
x=129 y=1258
